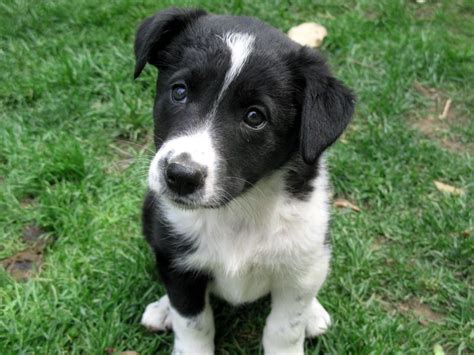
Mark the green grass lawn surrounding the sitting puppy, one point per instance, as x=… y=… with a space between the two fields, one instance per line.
x=75 y=141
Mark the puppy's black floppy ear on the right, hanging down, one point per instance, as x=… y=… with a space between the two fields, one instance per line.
x=327 y=105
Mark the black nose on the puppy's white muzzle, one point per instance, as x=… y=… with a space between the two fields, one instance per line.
x=184 y=179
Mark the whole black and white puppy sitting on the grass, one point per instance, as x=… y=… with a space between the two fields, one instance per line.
x=238 y=190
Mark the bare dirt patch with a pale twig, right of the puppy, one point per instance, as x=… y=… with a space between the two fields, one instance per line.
x=439 y=118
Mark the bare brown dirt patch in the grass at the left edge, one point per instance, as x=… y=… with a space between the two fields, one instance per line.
x=28 y=262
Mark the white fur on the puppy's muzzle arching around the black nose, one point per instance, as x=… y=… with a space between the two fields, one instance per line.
x=199 y=146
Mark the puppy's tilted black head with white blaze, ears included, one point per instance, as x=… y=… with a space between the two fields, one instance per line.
x=235 y=100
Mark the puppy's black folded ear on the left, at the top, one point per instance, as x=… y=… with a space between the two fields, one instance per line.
x=157 y=31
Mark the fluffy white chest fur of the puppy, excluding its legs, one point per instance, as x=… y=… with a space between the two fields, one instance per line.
x=264 y=233
